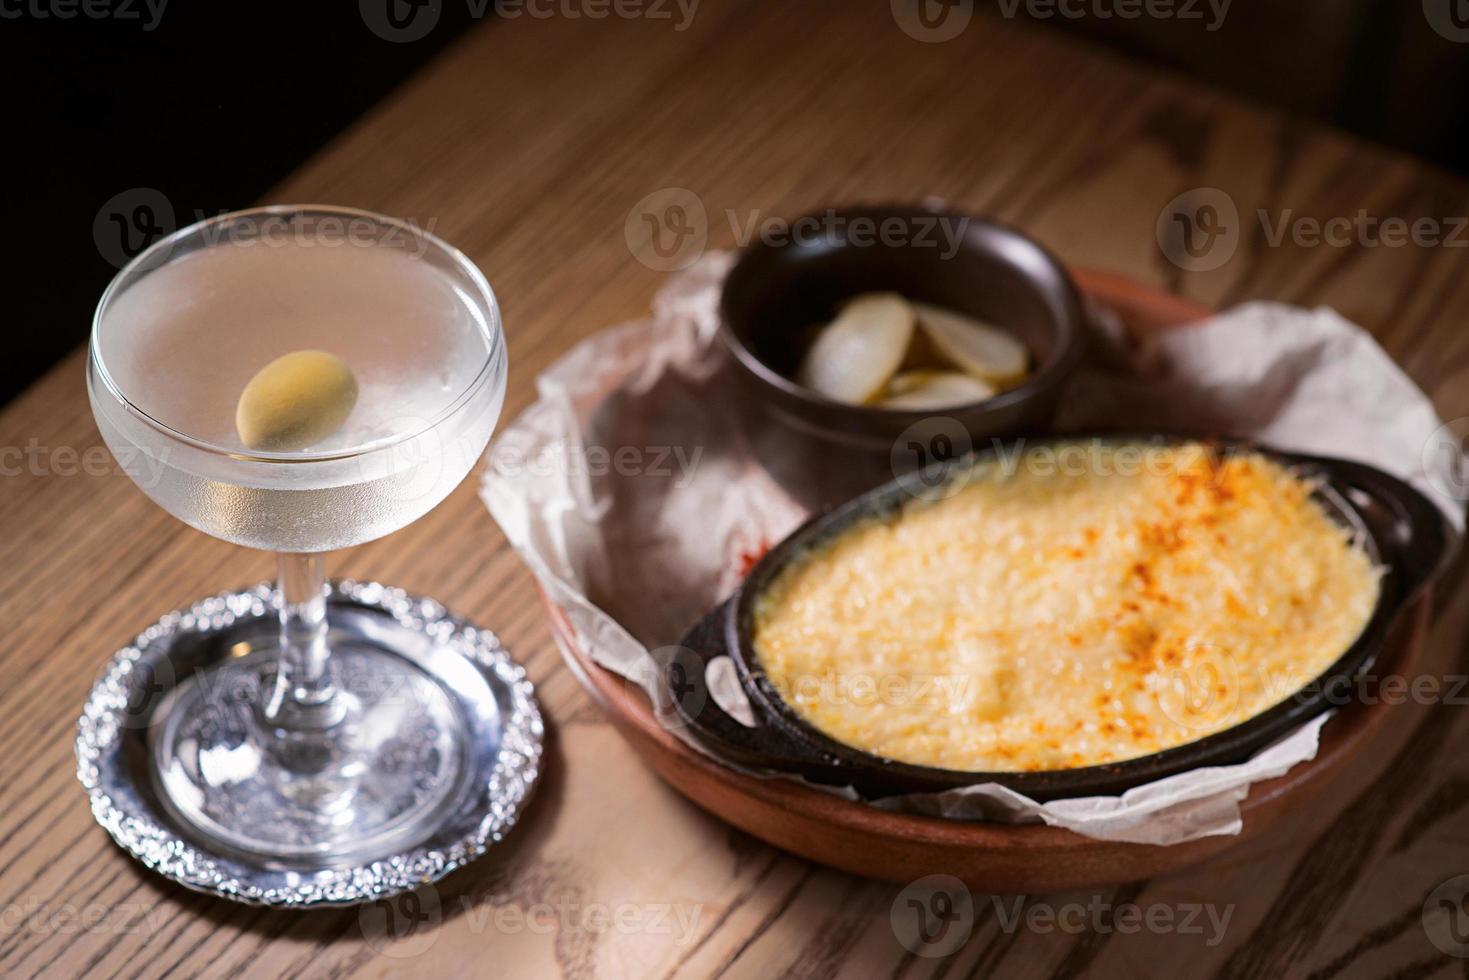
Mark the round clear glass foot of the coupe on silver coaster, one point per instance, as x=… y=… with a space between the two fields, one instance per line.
x=371 y=784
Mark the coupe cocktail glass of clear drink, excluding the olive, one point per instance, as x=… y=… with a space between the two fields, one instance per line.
x=302 y=749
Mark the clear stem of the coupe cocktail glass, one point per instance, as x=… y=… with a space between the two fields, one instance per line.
x=305 y=694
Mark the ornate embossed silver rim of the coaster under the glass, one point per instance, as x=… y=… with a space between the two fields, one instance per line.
x=139 y=831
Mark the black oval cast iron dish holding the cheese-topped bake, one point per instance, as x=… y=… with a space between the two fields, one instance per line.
x=1402 y=531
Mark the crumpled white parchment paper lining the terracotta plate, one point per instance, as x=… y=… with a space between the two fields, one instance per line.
x=638 y=491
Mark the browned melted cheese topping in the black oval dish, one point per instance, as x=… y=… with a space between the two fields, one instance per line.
x=1072 y=606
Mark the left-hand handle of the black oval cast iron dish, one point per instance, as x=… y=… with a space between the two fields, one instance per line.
x=768 y=746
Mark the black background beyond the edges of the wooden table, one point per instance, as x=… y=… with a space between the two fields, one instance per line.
x=214 y=107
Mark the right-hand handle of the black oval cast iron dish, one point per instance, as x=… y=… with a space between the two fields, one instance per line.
x=1415 y=534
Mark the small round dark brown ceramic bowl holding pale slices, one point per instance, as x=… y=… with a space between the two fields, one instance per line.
x=776 y=293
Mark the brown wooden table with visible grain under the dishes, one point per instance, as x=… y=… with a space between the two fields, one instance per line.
x=528 y=145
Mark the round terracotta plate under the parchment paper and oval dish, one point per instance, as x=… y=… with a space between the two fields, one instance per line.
x=989 y=857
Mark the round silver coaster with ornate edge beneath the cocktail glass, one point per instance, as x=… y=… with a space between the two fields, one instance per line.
x=468 y=666
